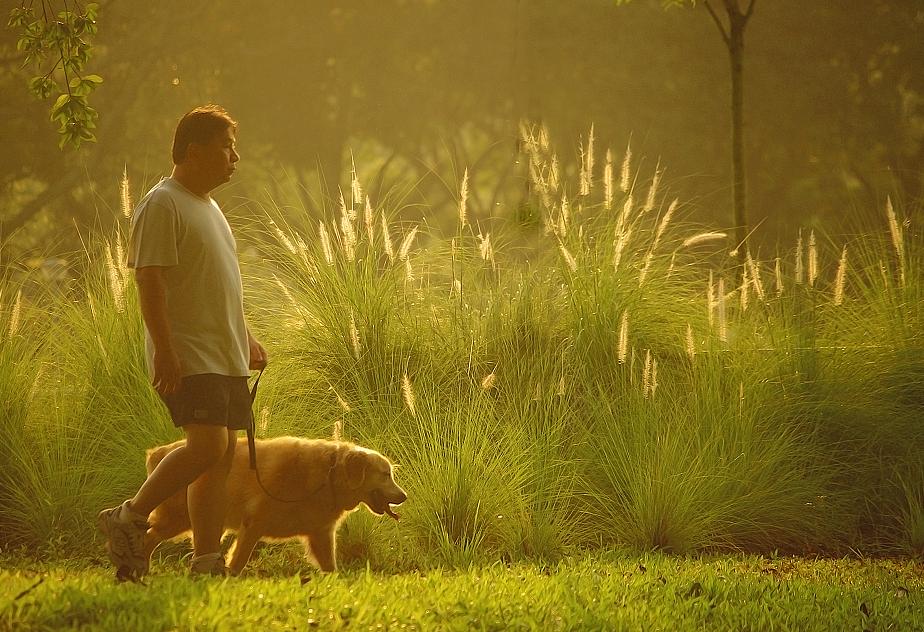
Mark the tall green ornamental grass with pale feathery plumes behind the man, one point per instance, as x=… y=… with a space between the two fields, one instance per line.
x=601 y=373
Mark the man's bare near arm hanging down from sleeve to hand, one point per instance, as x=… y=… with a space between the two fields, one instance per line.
x=153 y=298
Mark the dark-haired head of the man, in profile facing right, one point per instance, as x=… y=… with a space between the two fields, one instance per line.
x=204 y=145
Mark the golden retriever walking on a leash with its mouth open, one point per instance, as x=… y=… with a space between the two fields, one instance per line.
x=313 y=485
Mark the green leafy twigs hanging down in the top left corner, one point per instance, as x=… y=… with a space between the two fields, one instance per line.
x=64 y=38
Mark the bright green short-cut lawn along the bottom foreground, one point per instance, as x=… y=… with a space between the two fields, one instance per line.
x=605 y=591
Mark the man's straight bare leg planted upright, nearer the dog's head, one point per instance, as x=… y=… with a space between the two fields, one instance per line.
x=207 y=499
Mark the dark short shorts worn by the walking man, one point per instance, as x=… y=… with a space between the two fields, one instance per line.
x=215 y=400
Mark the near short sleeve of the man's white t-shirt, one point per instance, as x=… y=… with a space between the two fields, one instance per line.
x=154 y=234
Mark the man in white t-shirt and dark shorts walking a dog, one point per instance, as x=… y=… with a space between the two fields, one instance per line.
x=199 y=349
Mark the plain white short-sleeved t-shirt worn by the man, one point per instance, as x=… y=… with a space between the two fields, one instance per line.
x=189 y=235
